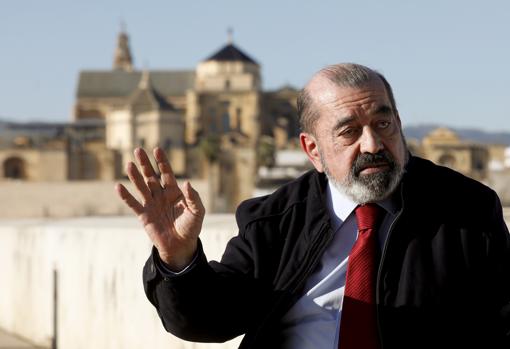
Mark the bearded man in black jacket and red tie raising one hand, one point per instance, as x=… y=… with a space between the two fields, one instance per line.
x=374 y=248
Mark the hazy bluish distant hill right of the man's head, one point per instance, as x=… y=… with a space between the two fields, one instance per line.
x=485 y=137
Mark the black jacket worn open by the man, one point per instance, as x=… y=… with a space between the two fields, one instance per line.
x=443 y=280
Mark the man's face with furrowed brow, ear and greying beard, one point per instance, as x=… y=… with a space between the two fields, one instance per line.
x=357 y=139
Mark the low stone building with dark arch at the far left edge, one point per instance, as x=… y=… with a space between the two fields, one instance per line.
x=56 y=152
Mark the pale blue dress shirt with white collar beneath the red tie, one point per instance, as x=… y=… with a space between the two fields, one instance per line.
x=314 y=321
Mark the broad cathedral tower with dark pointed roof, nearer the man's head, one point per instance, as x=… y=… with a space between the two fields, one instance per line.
x=226 y=97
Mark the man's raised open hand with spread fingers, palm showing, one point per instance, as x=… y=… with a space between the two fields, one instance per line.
x=171 y=216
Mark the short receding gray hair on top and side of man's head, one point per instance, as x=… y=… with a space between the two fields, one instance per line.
x=343 y=75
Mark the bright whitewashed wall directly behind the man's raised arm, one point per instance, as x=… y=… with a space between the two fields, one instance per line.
x=101 y=302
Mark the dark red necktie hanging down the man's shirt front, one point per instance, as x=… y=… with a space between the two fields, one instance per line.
x=358 y=326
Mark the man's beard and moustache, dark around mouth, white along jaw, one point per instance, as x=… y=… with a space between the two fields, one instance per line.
x=363 y=188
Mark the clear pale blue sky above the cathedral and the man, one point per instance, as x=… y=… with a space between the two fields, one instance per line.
x=448 y=61
